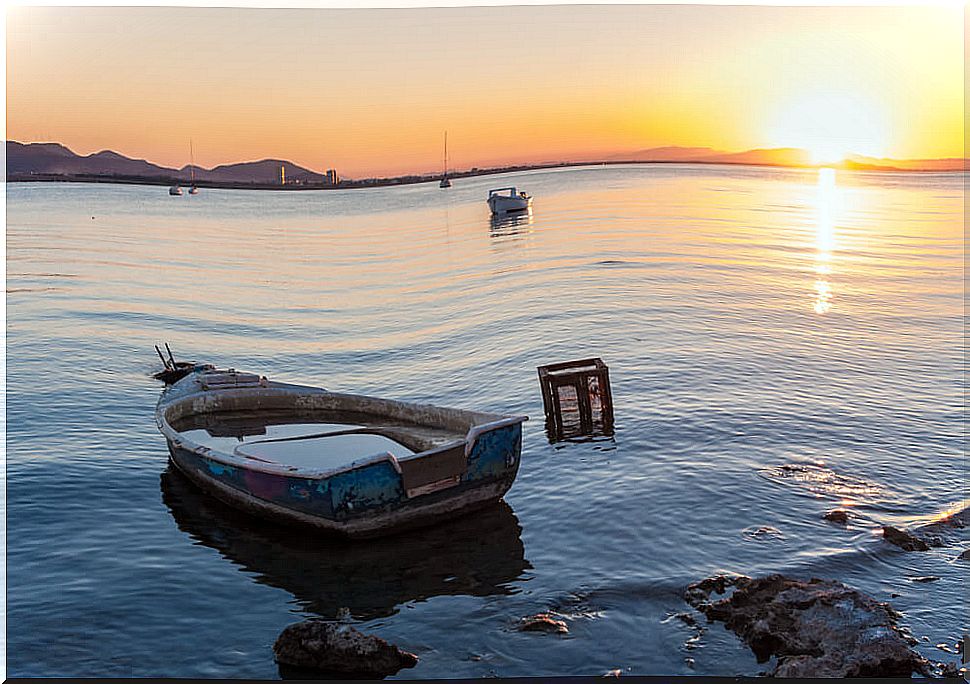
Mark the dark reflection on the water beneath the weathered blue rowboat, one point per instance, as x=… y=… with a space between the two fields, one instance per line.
x=480 y=554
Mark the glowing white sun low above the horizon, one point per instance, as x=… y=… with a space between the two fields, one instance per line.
x=830 y=126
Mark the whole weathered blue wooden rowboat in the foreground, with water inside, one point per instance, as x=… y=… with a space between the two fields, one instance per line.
x=350 y=464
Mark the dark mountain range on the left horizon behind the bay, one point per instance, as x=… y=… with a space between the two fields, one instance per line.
x=55 y=159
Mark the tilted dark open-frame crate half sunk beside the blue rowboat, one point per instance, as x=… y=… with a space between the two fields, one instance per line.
x=577 y=399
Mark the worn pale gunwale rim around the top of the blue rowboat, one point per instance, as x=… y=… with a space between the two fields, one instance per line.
x=178 y=440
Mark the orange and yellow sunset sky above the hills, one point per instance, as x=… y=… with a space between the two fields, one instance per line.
x=372 y=91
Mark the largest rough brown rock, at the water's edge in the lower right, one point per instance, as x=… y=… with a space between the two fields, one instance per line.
x=818 y=628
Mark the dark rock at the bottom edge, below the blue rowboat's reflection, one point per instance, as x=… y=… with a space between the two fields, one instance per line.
x=328 y=647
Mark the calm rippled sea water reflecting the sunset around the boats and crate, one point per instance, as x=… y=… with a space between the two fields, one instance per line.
x=780 y=343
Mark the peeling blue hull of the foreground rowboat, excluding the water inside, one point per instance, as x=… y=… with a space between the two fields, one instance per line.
x=368 y=497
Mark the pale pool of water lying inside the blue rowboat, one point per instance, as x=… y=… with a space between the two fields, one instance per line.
x=307 y=441
